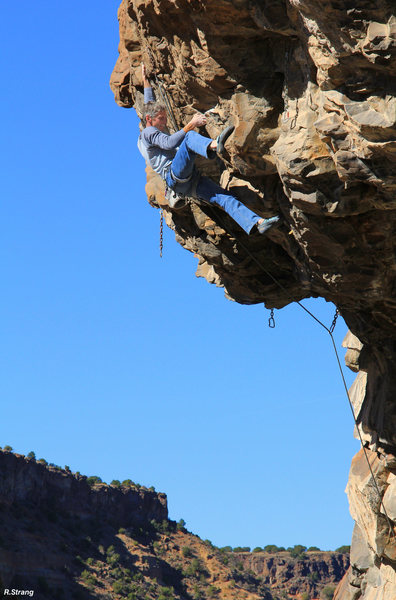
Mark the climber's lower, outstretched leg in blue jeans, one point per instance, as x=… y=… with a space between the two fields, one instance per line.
x=214 y=194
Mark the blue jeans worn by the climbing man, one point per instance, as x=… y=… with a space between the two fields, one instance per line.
x=182 y=167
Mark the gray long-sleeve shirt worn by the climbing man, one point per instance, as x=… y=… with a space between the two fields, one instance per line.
x=158 y=148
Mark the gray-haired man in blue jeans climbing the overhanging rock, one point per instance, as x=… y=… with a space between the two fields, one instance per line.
x=173 y=157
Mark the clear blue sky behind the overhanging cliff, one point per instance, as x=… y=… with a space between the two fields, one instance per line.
x=124 y=365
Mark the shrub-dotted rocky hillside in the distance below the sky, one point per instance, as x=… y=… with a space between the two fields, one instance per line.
x=63 y=536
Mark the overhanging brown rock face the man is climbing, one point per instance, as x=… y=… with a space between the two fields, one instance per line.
x=310 y=87
